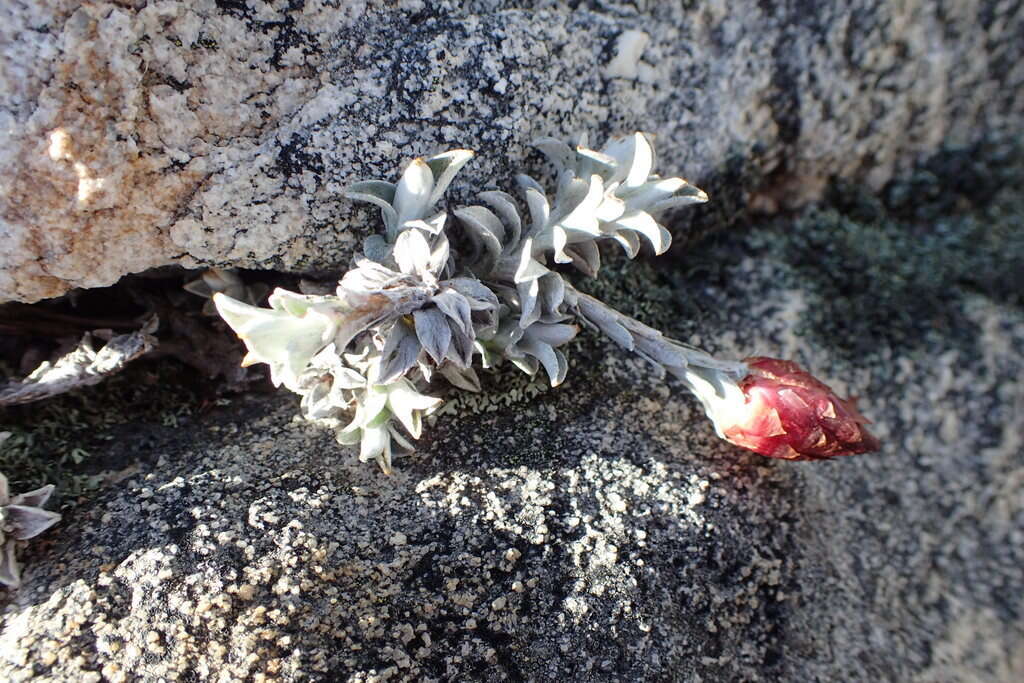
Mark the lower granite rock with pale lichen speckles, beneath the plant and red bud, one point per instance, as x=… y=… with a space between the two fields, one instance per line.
x=596 y=532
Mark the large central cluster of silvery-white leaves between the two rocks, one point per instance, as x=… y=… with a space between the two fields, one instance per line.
x=430 y=294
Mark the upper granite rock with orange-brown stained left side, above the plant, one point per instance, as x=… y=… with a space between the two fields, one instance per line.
x=136 y=135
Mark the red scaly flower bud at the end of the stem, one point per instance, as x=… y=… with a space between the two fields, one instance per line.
x=791 y=415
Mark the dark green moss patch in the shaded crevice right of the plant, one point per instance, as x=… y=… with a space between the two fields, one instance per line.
x=891 y=268
